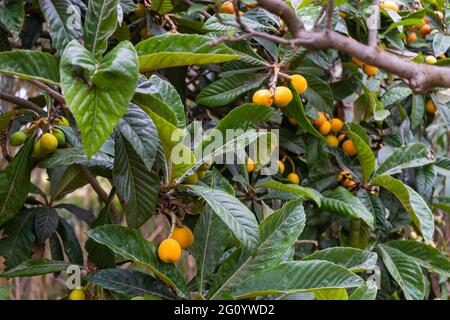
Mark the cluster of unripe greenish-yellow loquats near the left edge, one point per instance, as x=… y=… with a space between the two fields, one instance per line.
x=48 y=142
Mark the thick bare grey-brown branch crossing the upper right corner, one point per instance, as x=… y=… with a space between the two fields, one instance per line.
x=420 y=77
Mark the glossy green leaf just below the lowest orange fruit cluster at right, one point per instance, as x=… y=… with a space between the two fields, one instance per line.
x=343 y=203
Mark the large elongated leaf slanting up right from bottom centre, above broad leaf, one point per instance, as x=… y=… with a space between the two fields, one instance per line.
x=278 y=233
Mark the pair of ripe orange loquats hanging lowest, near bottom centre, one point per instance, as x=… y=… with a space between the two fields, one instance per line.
x=169 y=250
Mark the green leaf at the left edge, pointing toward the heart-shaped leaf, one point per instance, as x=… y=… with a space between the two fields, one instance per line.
x=28 y=65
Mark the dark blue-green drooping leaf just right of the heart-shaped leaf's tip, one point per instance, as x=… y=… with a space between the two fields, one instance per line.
x=140 y=131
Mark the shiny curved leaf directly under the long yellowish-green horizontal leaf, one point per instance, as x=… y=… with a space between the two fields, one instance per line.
x=162 y=98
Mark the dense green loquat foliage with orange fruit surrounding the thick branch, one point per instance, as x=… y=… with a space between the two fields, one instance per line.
x=358 y=206
